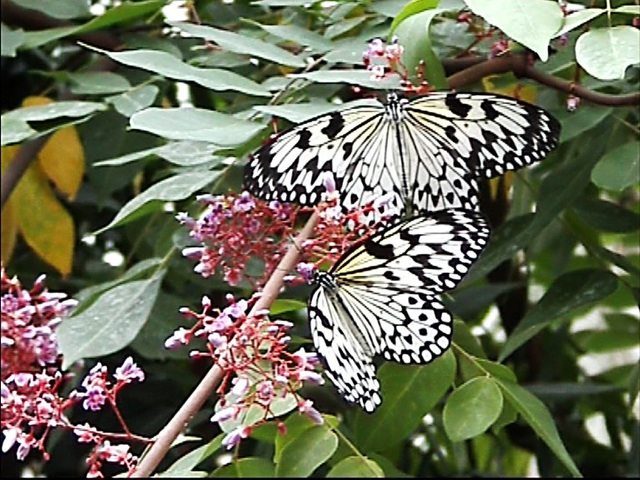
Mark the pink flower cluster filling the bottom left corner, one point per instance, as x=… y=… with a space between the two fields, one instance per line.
x=32 y=405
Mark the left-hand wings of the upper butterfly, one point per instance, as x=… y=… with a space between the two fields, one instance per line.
x=294 y=166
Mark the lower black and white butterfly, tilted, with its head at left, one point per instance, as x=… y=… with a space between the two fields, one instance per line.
x=380 y=298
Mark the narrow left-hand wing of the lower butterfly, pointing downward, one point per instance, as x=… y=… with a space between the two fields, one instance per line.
x=346 y=363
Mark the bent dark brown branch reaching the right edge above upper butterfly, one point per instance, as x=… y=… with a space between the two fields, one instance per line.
x=519 y=66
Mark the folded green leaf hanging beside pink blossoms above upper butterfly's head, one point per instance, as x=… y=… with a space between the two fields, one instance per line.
x=413 y=35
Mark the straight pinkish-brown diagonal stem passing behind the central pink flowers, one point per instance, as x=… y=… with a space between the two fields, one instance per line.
x=206 y=387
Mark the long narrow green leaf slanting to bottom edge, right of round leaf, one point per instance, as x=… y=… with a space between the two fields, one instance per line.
x=538 y=417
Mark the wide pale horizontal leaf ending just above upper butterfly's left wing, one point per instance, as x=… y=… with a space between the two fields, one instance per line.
x=195 y=124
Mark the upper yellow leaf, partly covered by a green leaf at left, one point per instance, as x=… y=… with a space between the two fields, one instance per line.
x=62 y=157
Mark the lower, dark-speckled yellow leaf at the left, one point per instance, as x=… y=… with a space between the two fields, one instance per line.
x=44 y=223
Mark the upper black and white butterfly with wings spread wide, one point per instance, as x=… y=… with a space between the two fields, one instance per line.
x=428 y=153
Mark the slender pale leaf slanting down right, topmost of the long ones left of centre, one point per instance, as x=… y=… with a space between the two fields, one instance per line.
x=238 y=43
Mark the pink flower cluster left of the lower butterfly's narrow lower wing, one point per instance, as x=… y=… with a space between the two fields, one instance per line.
x=258 y=369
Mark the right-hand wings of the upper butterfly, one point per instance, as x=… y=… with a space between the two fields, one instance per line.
x=454 y=138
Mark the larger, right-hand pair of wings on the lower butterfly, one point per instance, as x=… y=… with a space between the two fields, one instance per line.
x=388 y=283
